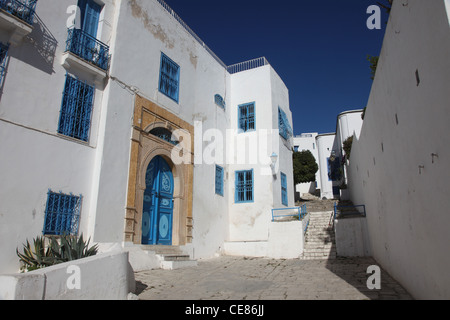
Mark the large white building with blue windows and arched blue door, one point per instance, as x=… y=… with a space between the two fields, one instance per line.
x=127 y=128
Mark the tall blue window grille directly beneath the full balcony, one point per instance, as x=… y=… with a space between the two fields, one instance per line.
x=76 y=109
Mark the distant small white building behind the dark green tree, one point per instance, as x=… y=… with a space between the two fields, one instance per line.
x=303 y=142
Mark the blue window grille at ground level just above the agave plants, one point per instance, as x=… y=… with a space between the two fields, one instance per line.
x=62 y=214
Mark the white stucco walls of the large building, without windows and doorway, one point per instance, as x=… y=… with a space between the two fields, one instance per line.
x=36 y=158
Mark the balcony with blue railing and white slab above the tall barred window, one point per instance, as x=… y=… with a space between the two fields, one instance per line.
x=86 y=53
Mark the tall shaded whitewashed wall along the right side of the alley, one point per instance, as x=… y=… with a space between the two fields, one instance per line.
x=392 y=170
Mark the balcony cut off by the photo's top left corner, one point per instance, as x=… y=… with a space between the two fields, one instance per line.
x=16 y=17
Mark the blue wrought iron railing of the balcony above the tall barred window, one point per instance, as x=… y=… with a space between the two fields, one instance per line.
x=88 y=48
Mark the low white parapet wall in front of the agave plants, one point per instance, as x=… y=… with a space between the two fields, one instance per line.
x=105 y=276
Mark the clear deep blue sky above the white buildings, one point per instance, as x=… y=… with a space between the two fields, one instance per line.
x=318 y=48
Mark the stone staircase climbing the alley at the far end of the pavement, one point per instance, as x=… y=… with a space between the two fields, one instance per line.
x=320 y=240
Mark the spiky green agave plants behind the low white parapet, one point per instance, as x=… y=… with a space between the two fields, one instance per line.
x=68 y=248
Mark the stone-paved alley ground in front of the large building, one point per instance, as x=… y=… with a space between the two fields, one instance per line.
x=237 y=278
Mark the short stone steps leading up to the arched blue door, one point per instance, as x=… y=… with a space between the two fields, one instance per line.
x=171 y=257
